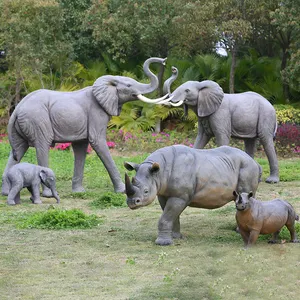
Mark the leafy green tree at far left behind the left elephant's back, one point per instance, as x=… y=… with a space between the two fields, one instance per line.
x=33 y=40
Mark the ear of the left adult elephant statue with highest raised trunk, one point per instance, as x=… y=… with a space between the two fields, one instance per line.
x=105 y=91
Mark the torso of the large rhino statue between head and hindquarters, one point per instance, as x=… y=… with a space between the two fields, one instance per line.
x=204 y=178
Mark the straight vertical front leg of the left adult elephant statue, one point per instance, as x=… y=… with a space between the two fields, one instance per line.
x=80 y=149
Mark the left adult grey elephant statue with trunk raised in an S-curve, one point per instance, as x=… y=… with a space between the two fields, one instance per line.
x=46 y=117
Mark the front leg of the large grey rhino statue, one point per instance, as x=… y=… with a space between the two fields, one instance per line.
x=170 y=218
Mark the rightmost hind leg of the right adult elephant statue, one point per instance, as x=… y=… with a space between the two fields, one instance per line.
x=269 y=148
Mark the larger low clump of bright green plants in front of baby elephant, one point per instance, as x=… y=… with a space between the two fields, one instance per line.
x=60 y=219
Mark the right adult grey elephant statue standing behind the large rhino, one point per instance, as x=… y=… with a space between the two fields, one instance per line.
x=247 y=116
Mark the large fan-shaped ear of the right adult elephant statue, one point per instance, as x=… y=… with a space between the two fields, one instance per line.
x=210 y=98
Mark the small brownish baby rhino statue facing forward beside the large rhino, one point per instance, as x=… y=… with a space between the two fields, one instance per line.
x=254 y=217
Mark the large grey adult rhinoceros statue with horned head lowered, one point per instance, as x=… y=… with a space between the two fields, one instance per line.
x=181 y=176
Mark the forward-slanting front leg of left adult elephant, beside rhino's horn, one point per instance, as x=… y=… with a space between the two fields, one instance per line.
x=103 y=153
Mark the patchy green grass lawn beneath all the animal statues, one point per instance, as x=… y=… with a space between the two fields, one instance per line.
x=117 y=259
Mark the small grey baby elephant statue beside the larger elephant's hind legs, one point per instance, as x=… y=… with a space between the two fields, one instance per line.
x=30 y=176
